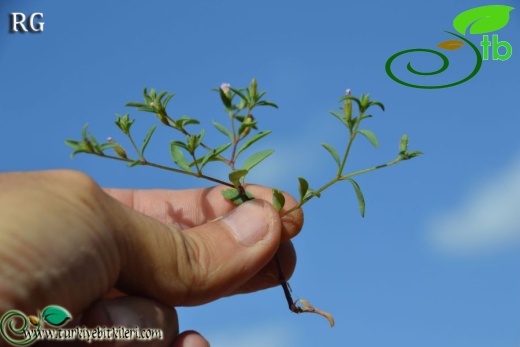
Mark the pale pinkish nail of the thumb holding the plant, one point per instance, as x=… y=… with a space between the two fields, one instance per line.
x=248 y=222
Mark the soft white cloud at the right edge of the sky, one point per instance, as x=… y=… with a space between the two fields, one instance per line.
x=487 y=220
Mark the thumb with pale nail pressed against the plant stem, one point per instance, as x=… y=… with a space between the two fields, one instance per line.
x=200 y=264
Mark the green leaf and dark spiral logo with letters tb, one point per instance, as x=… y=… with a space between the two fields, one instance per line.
x=480 y=21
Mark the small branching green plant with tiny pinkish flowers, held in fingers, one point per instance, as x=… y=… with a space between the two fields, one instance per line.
x=241 y=135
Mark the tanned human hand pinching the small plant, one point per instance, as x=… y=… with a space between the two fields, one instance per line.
x=65 y=241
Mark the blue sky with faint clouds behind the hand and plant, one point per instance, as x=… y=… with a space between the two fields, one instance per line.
x=435 y=261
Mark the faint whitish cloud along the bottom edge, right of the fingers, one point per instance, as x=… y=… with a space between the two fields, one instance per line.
x=262 y=336
